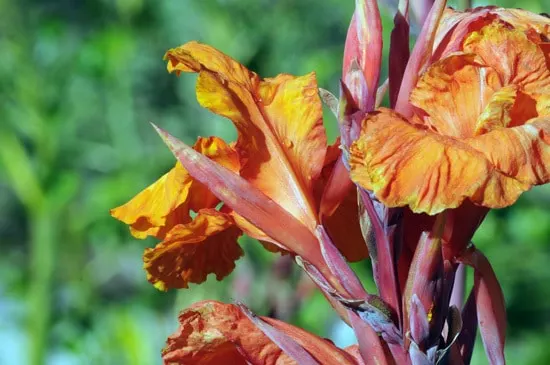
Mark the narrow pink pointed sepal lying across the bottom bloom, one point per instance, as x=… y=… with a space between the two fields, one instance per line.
x=285 y=343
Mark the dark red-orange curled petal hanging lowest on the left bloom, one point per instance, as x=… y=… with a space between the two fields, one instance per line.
x=207 y=244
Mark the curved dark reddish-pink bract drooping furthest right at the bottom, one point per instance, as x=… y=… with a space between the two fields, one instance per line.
x=490 y=307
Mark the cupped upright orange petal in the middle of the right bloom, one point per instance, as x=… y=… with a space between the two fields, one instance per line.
x=453 y=92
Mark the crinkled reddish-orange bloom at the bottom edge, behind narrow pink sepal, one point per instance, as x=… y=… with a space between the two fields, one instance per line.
x=216 y=333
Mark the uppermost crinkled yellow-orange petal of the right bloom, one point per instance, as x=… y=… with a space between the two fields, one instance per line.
x=515 y=58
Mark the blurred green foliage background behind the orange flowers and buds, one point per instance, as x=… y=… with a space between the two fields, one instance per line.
x=79 y=82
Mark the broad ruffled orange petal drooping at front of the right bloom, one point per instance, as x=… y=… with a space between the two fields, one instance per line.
x=406 y=165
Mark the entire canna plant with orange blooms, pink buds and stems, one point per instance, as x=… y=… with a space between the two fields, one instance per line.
x=467 y=130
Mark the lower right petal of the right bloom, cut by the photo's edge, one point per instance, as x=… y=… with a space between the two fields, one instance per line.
x=521 y=152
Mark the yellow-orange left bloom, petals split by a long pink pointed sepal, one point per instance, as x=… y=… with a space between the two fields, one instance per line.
x=281 y=150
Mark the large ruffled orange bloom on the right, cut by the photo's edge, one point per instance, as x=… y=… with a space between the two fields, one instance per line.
x=480 y=129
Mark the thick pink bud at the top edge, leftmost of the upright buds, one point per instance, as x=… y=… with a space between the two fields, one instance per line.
x=364 y=44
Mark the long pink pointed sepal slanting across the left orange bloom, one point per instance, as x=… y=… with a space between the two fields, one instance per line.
x=246 y=200
